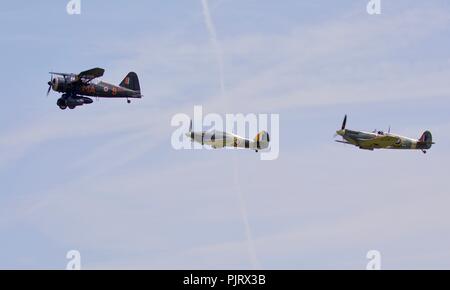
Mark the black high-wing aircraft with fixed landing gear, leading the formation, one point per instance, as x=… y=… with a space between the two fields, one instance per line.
x=76 y=87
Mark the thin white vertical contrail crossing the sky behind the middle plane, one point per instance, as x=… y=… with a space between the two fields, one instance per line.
x=243 y=208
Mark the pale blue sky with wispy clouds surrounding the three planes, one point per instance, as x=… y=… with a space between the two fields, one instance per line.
x=104 y=179
